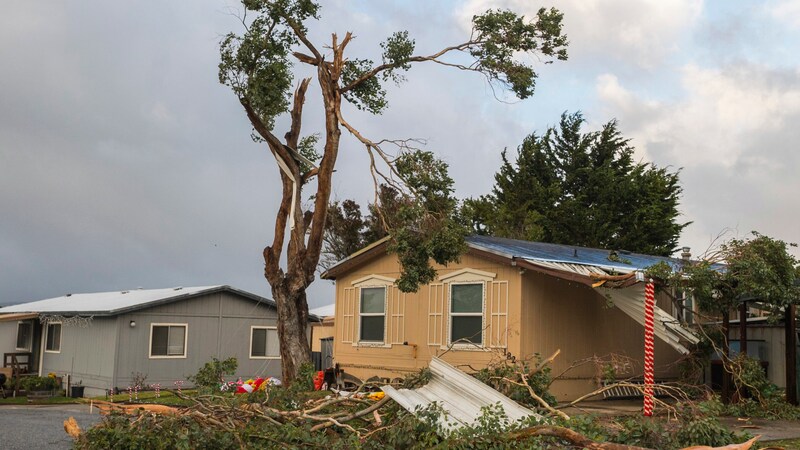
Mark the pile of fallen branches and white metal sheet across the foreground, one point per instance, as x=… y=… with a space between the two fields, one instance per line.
x=504 y=406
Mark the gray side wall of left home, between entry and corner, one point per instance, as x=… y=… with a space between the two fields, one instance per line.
x=87 y=355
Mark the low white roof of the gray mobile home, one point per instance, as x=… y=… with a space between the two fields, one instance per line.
x=103 y=302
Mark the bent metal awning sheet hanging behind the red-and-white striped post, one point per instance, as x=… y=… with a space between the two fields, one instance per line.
x=630 y=300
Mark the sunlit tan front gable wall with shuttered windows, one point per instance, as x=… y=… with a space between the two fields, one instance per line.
x=398 y=359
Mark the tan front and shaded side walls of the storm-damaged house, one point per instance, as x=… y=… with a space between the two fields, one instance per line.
x=543 y=314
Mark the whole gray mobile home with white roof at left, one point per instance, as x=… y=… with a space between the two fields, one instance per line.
x=102 y=340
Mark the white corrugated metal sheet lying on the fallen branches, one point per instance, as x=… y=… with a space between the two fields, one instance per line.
x=458 y=394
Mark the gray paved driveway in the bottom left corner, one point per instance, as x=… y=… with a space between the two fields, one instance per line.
x=41 y=427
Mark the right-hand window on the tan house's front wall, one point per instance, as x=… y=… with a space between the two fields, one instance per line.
x=466 y=313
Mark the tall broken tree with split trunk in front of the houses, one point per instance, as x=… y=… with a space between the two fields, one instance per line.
x=257 y=66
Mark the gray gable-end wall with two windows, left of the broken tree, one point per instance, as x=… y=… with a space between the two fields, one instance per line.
x=218 y=326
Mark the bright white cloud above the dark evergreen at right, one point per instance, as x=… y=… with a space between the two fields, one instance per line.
x=734 y=133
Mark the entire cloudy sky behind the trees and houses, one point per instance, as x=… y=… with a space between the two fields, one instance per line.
x=124 y=163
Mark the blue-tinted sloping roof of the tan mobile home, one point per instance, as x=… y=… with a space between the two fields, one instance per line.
x=570 y=254
